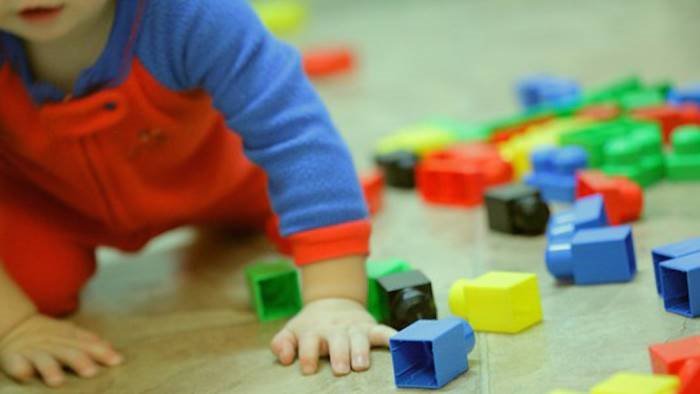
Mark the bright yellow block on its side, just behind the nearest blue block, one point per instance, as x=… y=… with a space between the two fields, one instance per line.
x=505 y=302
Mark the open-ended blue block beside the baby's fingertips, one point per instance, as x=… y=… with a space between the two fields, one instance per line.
x=430 y=353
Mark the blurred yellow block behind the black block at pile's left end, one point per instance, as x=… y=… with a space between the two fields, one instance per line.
x=419 y=139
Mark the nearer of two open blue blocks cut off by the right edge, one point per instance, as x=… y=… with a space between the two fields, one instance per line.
x=680 y=280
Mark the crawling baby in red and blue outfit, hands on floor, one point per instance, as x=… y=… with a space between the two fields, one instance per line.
x=122 y=119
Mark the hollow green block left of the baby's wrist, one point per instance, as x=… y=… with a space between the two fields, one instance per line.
x=274 y=289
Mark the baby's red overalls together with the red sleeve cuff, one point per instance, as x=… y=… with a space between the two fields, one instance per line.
x=116 y=168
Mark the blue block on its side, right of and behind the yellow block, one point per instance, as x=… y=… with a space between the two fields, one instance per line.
x=594 y=256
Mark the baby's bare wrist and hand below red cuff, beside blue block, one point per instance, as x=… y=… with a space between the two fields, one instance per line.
x=334 y=320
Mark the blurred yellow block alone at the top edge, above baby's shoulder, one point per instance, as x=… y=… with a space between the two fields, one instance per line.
x=281 y=16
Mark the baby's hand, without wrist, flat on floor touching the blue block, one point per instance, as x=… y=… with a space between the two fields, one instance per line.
x=338 y=327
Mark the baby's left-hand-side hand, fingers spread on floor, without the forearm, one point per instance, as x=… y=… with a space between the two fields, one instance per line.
x=43 y=345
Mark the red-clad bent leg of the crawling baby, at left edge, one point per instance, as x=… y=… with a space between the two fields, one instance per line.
x=50 y=268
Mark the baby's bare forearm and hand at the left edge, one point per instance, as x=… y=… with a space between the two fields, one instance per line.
x=32 y=343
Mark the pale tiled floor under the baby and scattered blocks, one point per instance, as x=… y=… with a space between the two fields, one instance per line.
x=181 y=316
